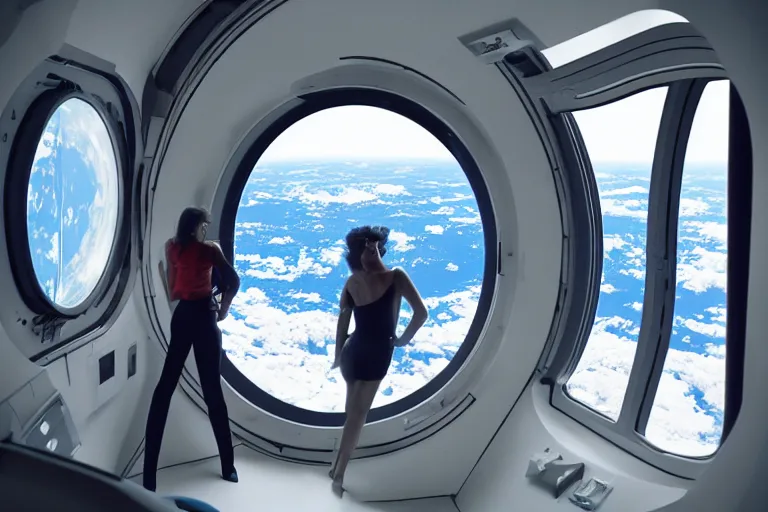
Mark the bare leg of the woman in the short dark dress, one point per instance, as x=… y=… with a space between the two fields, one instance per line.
x=360 y=397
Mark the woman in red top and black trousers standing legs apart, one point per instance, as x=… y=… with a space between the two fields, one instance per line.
x=191 y=261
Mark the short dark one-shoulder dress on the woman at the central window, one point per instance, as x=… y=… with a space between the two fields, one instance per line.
x=367 y=353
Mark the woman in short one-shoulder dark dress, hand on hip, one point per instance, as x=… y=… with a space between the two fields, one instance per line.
x=373 y=292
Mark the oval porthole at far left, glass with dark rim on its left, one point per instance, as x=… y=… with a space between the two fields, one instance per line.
x=72 y=203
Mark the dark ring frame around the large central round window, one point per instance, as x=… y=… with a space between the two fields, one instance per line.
x=321 y=100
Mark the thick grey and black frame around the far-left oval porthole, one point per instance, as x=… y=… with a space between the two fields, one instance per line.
x=69 y=74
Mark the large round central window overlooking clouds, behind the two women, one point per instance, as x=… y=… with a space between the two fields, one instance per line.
x=332 y=170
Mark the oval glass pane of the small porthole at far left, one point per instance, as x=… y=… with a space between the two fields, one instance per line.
x=72 y=203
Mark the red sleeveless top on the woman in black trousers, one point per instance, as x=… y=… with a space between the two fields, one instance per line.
x=193 y=265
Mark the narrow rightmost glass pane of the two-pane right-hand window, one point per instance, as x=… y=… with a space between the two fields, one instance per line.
x=687 y=413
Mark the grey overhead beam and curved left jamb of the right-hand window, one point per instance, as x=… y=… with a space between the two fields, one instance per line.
x=582 y=84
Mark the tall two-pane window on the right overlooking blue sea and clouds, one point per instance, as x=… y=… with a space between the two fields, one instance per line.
x=687 y=412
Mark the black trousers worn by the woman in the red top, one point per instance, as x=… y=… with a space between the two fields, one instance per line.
x=193 y=324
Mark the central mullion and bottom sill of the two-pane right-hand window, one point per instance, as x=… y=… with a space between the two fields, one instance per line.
x=678 y=113
